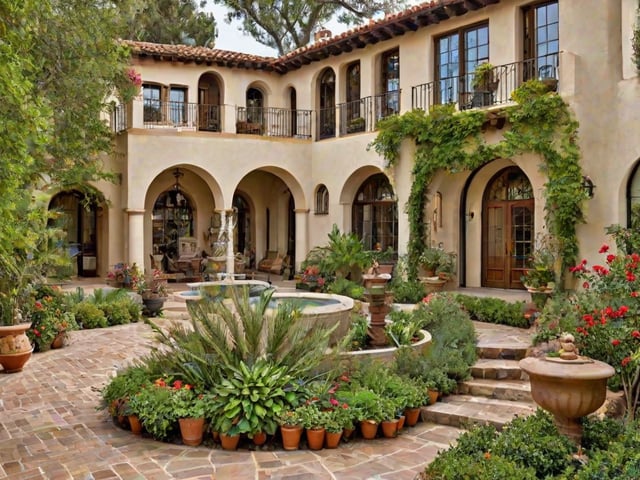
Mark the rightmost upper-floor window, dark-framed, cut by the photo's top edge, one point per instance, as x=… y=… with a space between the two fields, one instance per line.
x=541 y=40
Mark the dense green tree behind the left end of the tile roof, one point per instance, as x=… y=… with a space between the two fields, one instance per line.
x=169 y=21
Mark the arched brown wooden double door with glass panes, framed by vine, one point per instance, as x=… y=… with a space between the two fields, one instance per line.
x=507 y=230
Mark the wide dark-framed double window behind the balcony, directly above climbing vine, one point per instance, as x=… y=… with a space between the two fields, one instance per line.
x=457 y=55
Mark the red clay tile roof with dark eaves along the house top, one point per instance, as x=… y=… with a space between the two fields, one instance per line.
x=391 y=26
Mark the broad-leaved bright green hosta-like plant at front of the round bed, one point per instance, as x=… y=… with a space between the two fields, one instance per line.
x=251 y=398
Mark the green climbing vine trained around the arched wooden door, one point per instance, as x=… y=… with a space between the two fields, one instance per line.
x=540 y=122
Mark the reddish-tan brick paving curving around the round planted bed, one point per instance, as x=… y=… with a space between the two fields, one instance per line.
x=51 y=428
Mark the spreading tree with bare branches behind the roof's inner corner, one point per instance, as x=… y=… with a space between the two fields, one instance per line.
x=287 y=25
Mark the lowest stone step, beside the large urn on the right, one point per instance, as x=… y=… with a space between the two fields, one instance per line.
x=465 y=410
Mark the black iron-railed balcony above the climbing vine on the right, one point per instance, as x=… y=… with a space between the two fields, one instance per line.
x=460 y=91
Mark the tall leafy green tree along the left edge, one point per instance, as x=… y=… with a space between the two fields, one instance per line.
x=59 y=63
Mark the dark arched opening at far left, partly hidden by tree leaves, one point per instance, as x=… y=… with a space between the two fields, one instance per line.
x=78 y=220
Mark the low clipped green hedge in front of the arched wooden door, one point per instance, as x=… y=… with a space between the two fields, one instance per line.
x=494 y=310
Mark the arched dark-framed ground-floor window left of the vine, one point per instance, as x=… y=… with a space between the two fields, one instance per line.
x=375 y=213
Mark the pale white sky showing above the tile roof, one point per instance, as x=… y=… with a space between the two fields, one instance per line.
x=230 y=38
